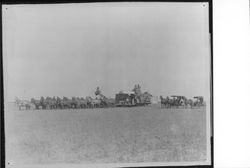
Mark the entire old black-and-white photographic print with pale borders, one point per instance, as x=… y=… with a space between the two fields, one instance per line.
x=114 y=84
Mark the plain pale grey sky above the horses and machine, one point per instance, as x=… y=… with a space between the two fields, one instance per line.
x=70 y=49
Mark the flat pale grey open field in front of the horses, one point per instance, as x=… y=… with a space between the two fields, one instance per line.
x=111 y=135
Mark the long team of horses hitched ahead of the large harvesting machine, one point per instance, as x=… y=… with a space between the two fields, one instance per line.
x=65 y=103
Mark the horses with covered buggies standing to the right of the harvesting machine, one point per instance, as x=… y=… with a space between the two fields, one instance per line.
x=181 y=101
